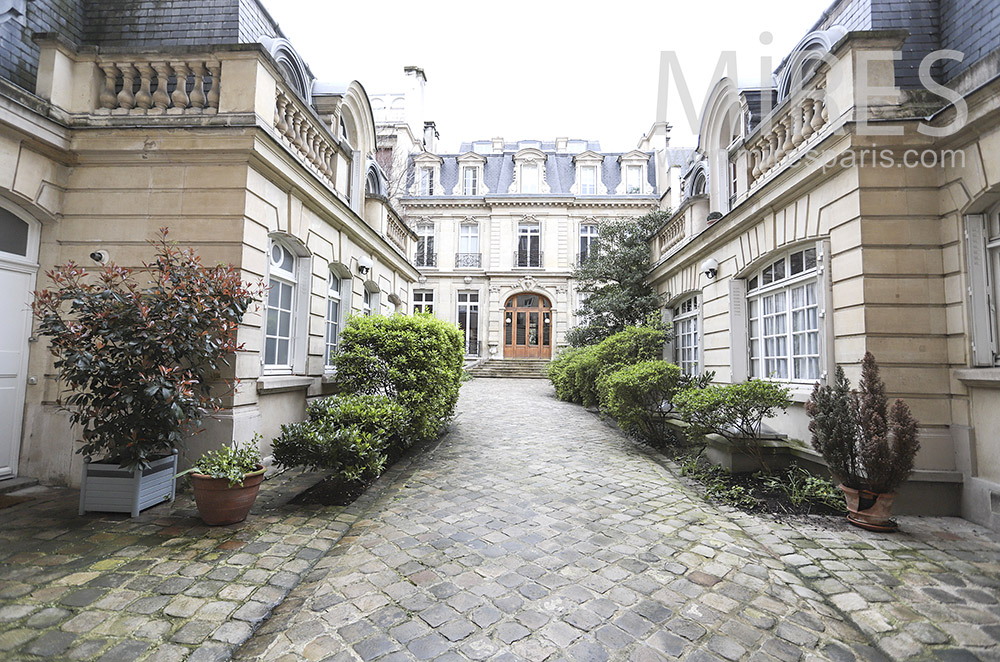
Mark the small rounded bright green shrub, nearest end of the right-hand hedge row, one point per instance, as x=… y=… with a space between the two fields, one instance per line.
x=638 y=397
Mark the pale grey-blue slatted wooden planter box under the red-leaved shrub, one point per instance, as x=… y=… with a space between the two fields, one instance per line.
x=109 y=488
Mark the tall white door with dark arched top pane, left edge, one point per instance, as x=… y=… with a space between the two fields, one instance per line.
x=17 y=276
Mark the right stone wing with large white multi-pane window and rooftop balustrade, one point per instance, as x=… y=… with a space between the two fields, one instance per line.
x=820 y=219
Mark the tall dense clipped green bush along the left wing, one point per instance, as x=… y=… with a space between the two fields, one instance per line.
x=415 y=360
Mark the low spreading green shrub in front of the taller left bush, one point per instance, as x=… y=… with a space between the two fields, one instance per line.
x=347 y=434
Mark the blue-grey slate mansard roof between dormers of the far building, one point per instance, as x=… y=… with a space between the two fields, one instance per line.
x=560 y=171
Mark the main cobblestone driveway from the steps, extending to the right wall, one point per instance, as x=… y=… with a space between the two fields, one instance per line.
x=534 y=531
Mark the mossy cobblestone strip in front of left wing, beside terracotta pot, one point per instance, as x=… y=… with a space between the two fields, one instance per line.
x=162 y=587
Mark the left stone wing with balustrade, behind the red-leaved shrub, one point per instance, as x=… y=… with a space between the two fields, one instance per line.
x=250 y=161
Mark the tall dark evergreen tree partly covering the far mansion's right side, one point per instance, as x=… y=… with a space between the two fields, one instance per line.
x=613 y=280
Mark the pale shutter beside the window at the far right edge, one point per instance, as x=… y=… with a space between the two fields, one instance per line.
x=981 y=312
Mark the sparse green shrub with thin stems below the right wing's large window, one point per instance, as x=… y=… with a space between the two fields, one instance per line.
x=733 y=411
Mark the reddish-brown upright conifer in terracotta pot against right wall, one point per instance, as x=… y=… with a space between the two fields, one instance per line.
x=868 y=446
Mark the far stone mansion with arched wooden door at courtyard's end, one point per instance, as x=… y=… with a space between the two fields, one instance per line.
x=502 y=224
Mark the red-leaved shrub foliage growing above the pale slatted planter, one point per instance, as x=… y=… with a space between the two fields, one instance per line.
x=142 y=364
